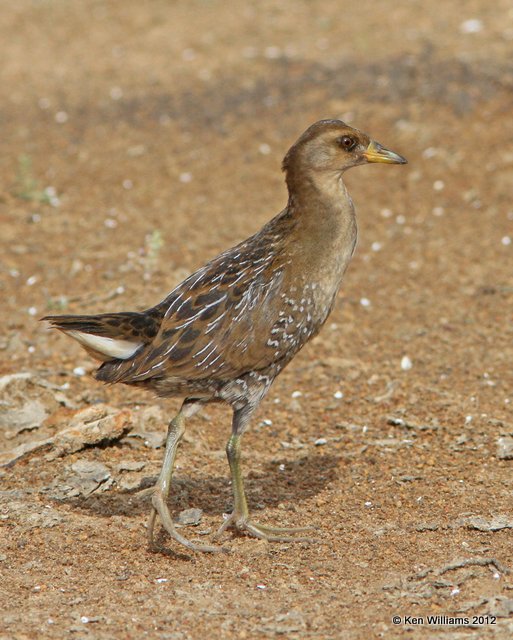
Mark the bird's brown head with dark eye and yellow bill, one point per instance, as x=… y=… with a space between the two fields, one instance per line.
x=332 y=147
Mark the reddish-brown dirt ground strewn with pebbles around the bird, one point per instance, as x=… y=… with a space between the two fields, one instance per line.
x=141 y=139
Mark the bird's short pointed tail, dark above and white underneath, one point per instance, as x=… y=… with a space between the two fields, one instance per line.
x=109 y=336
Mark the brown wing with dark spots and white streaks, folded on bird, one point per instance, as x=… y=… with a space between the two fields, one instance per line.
x=216 y=323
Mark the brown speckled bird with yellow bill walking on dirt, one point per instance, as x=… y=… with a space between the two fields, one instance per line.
x=228 y=330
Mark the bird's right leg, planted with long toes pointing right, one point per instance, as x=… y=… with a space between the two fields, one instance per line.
x=239 y=517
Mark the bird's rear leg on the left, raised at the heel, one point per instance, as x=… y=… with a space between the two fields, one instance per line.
x=160 y=496
